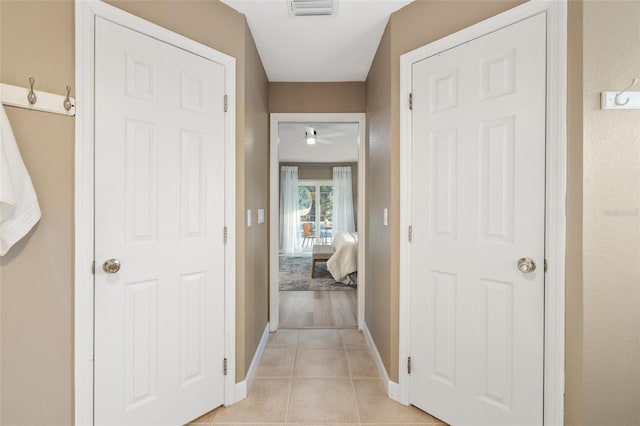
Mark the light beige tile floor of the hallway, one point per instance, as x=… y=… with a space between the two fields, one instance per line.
x=317 y=377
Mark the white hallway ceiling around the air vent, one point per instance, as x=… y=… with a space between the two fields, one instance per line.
x=318 y=48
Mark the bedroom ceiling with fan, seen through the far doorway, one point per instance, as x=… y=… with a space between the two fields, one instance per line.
x=343 y=146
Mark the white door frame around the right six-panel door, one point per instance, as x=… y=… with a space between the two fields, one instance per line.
x=555 y=190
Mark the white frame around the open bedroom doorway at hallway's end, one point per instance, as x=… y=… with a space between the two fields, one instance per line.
x=274 y=204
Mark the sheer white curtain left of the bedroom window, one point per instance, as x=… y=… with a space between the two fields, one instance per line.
x=290 y=241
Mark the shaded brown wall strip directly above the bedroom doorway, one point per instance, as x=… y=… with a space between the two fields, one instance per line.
x=342 y=97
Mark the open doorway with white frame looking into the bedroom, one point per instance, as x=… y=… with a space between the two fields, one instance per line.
x=317 y=179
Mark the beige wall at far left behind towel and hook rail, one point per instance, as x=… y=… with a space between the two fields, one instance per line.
x=36 y=291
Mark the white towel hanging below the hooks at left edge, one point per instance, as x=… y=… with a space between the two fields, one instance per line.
x=19 y=208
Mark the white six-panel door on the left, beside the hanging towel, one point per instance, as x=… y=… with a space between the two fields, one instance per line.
x=159 y=210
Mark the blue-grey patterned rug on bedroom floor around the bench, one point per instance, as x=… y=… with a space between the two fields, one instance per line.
x=295 y=275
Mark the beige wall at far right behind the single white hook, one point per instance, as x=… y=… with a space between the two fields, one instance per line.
x=611 y=233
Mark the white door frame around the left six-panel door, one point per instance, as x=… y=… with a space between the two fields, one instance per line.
x=85 y=13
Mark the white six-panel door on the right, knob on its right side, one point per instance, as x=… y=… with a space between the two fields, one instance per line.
x=477 y=207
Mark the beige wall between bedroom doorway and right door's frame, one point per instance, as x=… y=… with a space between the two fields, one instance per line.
x=413 y=26
